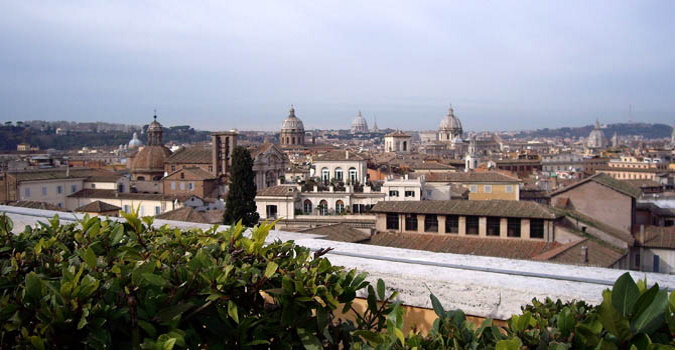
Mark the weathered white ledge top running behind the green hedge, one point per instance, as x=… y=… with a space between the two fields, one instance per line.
x=481 y=286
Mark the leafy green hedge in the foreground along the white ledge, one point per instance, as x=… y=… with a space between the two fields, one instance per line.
x=107 y=284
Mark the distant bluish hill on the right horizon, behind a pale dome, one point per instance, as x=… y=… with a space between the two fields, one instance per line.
x=646 y=130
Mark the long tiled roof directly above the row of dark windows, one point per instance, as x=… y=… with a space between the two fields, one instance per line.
x=498 y=208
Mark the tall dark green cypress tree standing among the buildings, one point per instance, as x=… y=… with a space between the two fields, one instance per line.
x=240 y=203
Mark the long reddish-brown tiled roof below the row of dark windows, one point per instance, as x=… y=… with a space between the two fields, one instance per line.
x=444 y=243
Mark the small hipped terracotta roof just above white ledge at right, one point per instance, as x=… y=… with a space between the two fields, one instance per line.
x=571 y=253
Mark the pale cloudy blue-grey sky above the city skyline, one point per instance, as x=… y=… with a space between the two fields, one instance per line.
x=218 y=65
